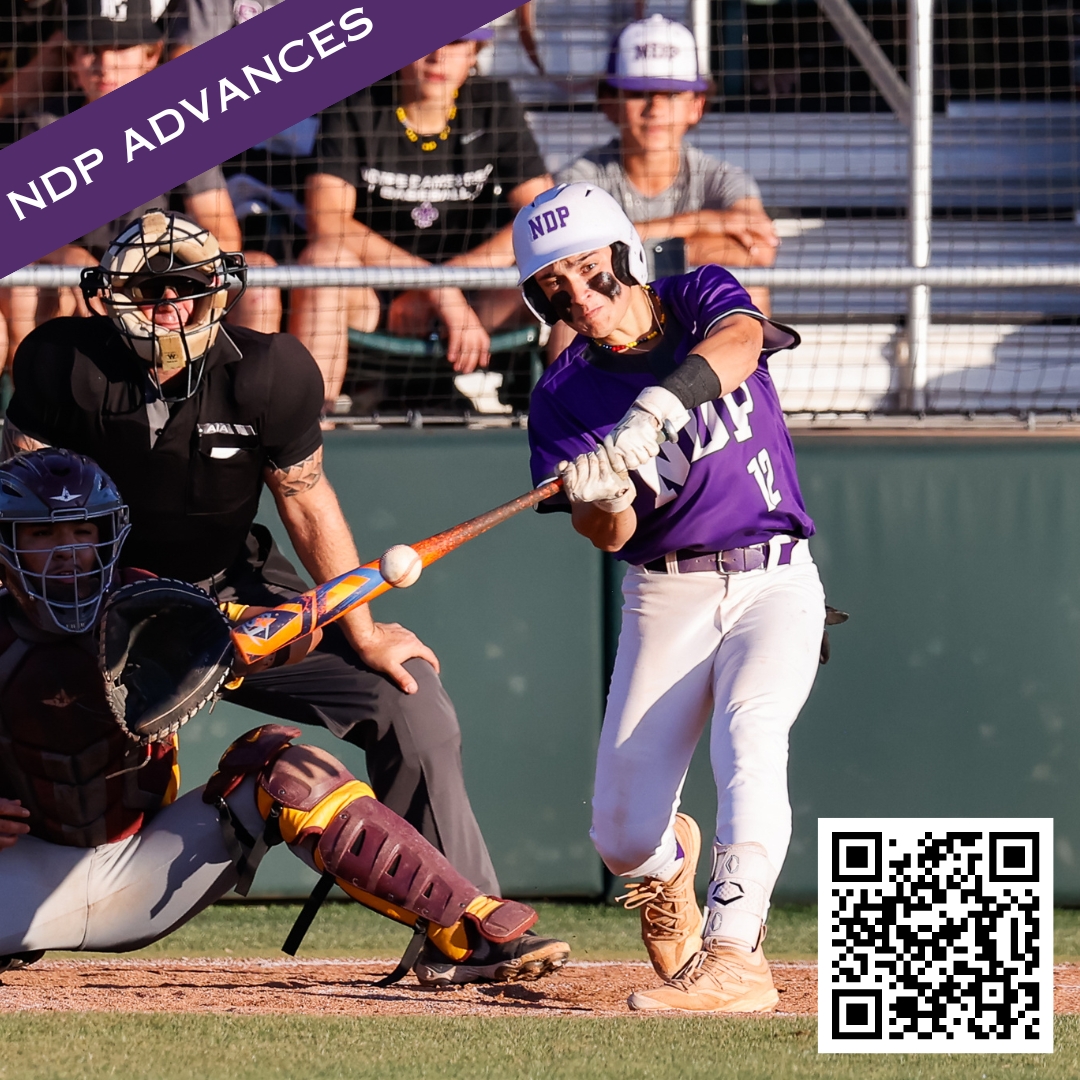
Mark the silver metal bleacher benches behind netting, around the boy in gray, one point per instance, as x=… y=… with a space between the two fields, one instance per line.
x=988 y=348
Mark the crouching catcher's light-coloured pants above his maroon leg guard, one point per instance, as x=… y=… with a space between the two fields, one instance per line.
x=121 y=896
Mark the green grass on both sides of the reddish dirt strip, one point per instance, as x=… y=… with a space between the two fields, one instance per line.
x=156 y=1047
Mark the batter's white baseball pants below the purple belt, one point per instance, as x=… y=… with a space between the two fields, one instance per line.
x=740 y=647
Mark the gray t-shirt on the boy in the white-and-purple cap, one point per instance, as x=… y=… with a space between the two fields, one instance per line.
x=704 y=183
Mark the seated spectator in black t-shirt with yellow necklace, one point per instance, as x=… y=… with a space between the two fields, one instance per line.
x=426 y=167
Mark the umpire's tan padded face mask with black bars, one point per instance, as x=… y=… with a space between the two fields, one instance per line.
x=165 y=283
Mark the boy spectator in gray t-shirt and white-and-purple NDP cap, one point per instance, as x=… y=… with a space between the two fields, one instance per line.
x=654 y=93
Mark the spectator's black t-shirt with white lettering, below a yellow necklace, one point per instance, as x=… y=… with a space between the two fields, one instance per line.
x=436 y=204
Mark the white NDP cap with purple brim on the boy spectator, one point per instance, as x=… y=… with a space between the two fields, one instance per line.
x=655 y=53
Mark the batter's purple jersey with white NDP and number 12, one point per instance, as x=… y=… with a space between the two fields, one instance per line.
x=731 y=479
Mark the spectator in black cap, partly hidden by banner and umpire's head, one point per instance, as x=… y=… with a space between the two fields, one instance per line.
x=105 y=53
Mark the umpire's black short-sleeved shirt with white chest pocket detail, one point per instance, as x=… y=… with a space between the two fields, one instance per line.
x=195 y=494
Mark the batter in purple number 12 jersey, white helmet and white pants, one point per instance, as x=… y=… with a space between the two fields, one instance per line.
x=666 y=427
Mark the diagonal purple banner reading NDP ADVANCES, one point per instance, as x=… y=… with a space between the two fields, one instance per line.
x=208 y=106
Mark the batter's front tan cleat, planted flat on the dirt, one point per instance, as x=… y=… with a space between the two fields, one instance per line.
x=720 y=980
